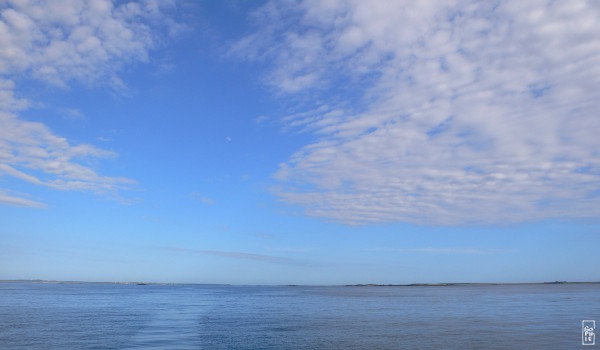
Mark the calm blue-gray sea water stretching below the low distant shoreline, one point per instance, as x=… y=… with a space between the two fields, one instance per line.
x=110 y=316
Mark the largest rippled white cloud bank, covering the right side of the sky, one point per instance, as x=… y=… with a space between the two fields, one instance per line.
x=450 y=113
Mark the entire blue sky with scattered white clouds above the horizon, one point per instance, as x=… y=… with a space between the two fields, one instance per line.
x=300 y=142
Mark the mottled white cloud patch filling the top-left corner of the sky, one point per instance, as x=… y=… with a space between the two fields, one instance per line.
x=85 y=40
